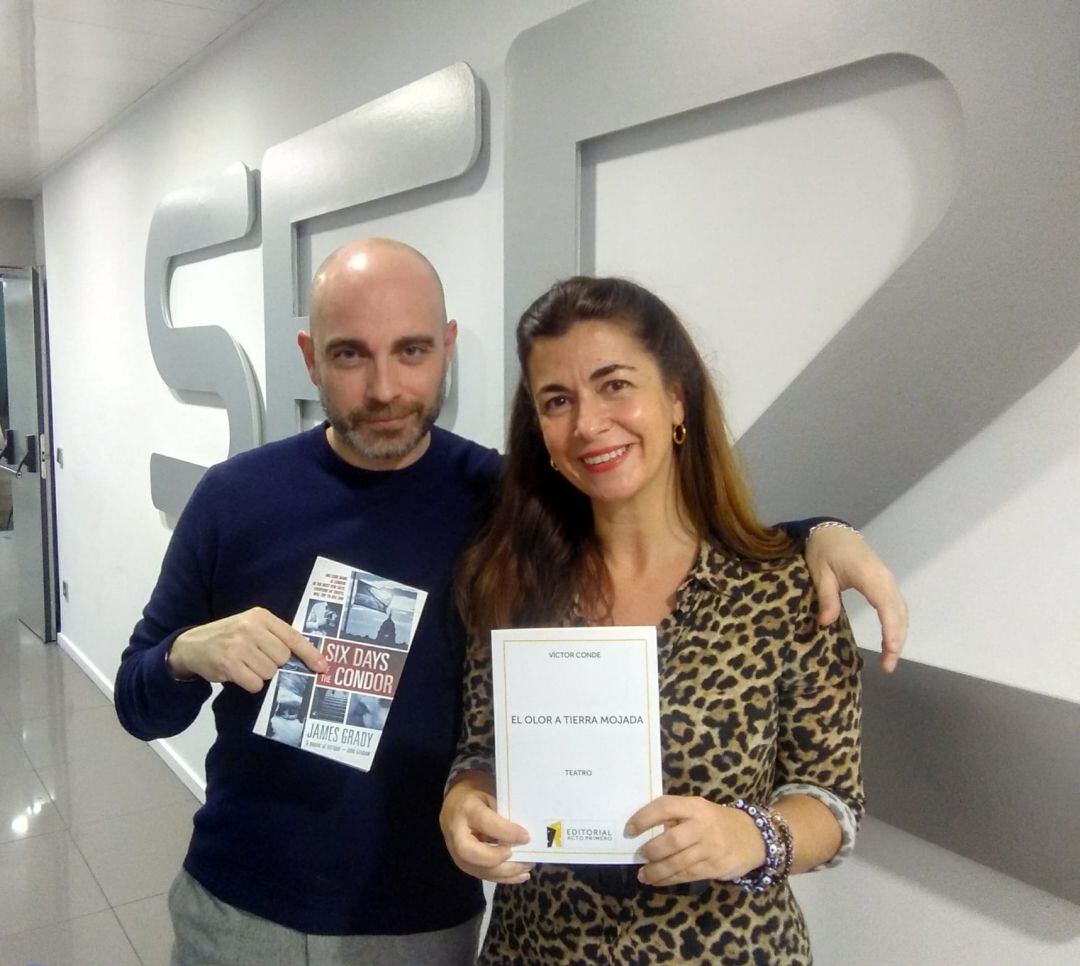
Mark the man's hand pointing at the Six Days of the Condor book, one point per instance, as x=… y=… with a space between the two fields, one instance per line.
x=246 y=649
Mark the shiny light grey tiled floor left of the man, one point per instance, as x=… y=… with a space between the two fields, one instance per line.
x=93 y=826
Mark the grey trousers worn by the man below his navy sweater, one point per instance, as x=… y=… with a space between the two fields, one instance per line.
x=211 y=933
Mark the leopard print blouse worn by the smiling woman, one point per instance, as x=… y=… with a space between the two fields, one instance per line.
x=754 y=695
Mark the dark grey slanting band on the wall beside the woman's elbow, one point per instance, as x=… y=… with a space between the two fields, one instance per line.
x=935 y=743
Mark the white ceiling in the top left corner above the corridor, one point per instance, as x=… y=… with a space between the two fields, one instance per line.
x=69 y=69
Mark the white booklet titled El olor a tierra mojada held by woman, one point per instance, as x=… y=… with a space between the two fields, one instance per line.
x=577 y=730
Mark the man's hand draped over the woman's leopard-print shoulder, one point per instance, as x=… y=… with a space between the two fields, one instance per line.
x=840 y=559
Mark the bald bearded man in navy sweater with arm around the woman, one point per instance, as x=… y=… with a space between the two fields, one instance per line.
x=294 y=858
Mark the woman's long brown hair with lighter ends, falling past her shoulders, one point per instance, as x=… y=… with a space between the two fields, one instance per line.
x=539 y=549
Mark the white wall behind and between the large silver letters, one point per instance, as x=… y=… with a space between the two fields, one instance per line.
x=987 y=578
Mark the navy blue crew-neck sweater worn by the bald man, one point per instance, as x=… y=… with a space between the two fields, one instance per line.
x=288 y=836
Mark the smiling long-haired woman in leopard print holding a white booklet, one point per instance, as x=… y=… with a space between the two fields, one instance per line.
x=623 y=503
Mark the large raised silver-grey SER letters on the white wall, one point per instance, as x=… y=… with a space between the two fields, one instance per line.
x=948 y=314
